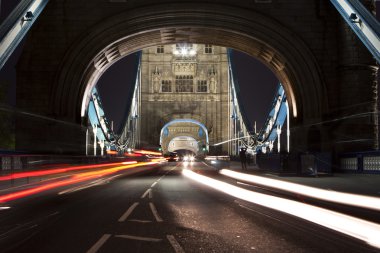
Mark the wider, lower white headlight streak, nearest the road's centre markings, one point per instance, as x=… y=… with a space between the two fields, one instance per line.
x=355 y=227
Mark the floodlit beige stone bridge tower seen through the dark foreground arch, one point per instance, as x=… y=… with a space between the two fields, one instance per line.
x=190 y=82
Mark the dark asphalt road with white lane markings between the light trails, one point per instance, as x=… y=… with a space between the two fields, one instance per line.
x=159 y=211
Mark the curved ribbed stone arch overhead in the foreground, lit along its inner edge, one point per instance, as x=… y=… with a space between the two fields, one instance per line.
x=246 y=30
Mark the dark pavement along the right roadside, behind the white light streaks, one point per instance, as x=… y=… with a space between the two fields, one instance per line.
x=364 y=184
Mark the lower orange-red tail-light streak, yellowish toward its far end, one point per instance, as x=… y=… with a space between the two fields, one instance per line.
x=74 y=179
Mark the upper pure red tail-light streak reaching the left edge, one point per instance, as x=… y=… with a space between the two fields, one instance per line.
x=55 y=171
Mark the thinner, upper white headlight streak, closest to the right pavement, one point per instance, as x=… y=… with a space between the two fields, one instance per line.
x=332 y=196
